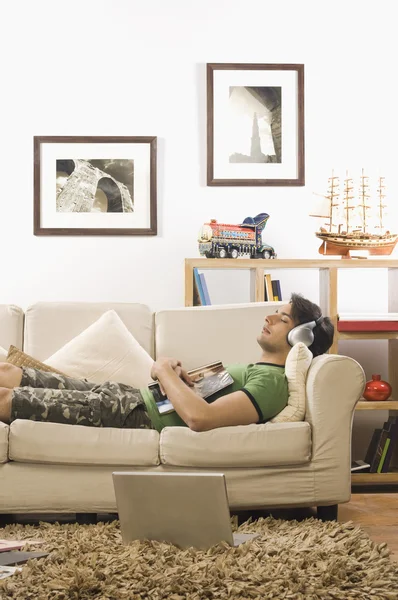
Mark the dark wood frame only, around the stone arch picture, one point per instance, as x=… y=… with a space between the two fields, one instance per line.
x=151 y=141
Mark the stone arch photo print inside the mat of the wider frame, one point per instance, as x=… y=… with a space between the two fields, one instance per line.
x=95 y=185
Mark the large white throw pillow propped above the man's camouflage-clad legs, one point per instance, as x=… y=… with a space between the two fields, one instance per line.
x=105 y=351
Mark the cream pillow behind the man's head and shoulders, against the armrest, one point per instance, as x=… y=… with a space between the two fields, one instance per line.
x=298 y=362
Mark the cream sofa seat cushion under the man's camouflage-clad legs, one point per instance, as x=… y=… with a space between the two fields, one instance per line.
x=52 y=443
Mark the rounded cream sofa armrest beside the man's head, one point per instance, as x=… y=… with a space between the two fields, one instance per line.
x=334 y=385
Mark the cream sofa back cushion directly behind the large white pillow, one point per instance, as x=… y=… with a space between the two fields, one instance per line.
x=50 y=325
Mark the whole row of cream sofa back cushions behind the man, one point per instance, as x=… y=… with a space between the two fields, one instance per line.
x=196 y=335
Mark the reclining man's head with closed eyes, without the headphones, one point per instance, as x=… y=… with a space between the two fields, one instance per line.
x=273 y=338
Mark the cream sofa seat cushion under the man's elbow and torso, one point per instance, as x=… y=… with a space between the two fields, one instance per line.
x=269 y=444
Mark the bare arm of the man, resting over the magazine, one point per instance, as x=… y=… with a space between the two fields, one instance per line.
x=231 y=409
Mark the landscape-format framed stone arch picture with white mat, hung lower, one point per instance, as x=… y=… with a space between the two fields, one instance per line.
x=95 y=186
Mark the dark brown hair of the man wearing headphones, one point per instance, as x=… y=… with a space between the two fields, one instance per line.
x=304 y=311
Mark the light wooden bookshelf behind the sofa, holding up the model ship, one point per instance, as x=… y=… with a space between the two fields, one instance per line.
x=328 y=293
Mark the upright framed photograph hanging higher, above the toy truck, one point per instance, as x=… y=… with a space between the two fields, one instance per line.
x=255 y=124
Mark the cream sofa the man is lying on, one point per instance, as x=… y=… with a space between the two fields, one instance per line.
x=56 y=468
